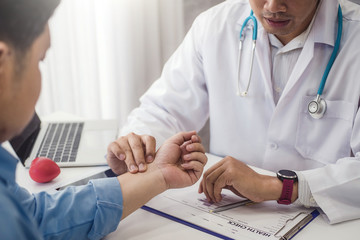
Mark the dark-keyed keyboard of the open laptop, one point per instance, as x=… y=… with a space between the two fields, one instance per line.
x=61 y=141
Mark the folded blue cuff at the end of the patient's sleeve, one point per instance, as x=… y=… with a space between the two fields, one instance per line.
x=109 y=207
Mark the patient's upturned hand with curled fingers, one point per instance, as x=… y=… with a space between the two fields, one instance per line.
x=181 y=160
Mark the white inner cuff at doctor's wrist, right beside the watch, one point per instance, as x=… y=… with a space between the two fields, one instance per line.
x=305 y=196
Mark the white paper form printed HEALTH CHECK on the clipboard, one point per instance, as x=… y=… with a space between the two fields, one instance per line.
x=255 y=221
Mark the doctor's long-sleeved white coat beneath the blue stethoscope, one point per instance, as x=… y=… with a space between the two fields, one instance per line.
x=200 y=82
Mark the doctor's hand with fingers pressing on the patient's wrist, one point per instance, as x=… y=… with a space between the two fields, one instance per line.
x=131 y=153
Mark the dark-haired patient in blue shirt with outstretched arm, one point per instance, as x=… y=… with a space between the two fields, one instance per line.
x=86 y=212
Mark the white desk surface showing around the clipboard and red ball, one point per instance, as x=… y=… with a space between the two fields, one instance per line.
x=143 y=225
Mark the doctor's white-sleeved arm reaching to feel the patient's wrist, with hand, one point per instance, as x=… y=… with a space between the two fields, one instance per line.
x=177 y=101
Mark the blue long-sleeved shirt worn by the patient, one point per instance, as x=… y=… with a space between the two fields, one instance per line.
x=86 y=212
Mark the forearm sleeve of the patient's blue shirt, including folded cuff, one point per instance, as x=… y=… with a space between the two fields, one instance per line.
x=85 y=212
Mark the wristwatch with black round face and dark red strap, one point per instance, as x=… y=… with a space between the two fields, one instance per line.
x=288 y=178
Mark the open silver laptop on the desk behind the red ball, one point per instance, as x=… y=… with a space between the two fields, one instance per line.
x=69 y=144
